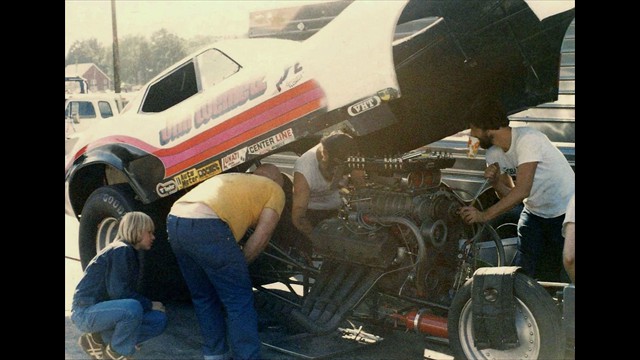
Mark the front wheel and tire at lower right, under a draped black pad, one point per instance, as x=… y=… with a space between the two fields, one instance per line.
x=538 y=323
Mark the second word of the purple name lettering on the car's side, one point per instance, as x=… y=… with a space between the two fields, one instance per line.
x=229 y=101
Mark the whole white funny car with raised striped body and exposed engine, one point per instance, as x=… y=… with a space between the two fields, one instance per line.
x=227 y=106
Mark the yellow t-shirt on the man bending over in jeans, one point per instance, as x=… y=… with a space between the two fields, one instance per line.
x=238 y=199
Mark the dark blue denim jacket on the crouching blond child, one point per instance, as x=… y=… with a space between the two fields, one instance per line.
x=112 y=274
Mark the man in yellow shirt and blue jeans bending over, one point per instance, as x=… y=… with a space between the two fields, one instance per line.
x=204 y=227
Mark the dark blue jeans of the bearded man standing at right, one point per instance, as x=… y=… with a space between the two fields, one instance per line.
x=540 y=250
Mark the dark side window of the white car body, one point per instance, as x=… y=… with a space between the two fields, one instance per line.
x=171 y=90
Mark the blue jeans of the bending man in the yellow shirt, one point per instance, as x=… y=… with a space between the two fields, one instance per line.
x=217 y=276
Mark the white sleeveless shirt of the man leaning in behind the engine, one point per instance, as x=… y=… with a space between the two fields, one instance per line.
x=321 y=196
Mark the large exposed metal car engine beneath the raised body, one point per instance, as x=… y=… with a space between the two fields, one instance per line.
x=403 y=218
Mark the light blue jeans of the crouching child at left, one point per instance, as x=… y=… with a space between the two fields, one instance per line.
x=122 y=323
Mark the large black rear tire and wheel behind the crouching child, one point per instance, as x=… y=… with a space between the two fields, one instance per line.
x=160 y=277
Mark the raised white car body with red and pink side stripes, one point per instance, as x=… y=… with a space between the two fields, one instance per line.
x=234 y=102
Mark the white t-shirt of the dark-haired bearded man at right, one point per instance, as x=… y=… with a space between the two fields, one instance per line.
x=554 y=180
